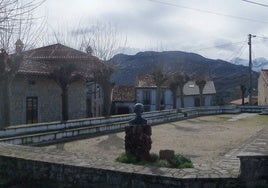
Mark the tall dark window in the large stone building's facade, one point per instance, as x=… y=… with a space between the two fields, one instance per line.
x=31 y=110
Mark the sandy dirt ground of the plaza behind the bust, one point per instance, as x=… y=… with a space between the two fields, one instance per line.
x=204 y=139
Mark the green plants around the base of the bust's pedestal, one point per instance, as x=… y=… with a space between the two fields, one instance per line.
x=178 y=161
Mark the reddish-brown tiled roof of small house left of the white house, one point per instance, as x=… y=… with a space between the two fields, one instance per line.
x=123 y=94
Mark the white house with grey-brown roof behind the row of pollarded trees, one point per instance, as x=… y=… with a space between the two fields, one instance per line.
x=146 y=94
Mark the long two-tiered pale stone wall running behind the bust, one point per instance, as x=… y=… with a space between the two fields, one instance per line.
x=54 y=132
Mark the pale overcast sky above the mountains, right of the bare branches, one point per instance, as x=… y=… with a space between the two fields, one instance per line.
x=216 y=29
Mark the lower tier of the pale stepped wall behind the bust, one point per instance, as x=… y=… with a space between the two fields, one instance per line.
x=72 y=132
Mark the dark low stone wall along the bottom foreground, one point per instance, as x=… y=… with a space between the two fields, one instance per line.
x=69 y=175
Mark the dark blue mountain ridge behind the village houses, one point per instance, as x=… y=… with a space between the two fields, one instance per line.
x=227 y=77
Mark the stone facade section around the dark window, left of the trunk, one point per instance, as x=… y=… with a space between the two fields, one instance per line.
x=48 y=93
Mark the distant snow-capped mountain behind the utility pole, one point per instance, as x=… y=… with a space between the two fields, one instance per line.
x=257 y=64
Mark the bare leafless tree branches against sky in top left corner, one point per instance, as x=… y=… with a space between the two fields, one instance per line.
x=17 y=22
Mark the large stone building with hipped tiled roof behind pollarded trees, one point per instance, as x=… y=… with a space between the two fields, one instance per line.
x=36 y=97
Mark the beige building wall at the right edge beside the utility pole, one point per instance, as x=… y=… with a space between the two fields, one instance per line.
x=263 y=88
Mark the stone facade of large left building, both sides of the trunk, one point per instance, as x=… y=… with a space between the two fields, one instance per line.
x=49 y=99
